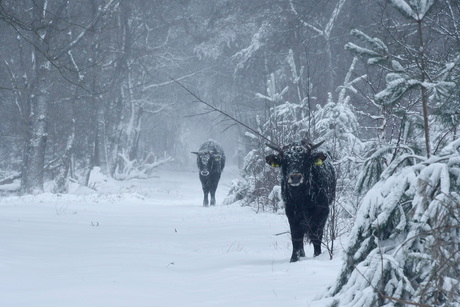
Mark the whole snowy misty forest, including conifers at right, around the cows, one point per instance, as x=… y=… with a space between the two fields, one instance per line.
x=117 y=85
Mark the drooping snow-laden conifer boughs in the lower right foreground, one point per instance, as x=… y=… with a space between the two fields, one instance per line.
x=405 y=240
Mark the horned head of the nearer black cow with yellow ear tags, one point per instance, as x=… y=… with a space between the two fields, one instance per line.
x=296 y=160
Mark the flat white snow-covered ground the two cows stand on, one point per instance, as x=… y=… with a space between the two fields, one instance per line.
x=150 y=243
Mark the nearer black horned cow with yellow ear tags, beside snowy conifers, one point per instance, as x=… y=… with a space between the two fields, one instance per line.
x=308 y=189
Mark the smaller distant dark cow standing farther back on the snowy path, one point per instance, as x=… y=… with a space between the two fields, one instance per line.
x=211 y=162
